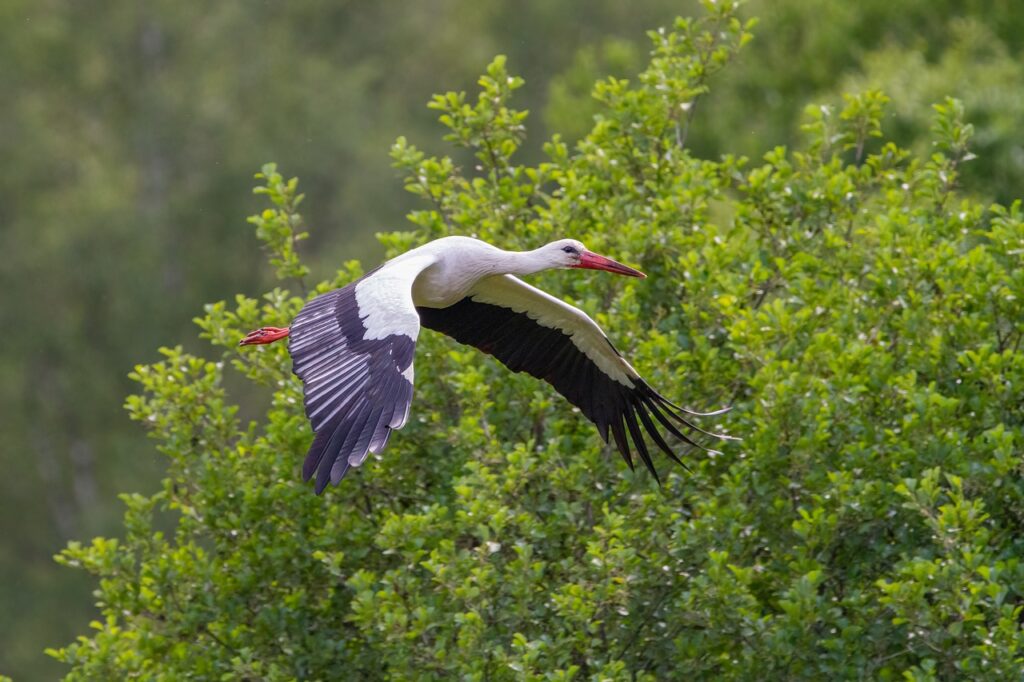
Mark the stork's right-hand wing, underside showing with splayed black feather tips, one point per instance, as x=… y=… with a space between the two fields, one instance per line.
x=530 y=331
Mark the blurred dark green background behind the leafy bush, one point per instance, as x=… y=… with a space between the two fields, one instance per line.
x=130 y=134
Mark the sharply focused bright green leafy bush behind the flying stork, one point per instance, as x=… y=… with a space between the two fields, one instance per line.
x=864 y=318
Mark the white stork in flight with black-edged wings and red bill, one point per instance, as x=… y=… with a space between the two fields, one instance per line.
x=353 y=349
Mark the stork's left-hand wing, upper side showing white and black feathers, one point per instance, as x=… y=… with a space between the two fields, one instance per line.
x=354 y=351
